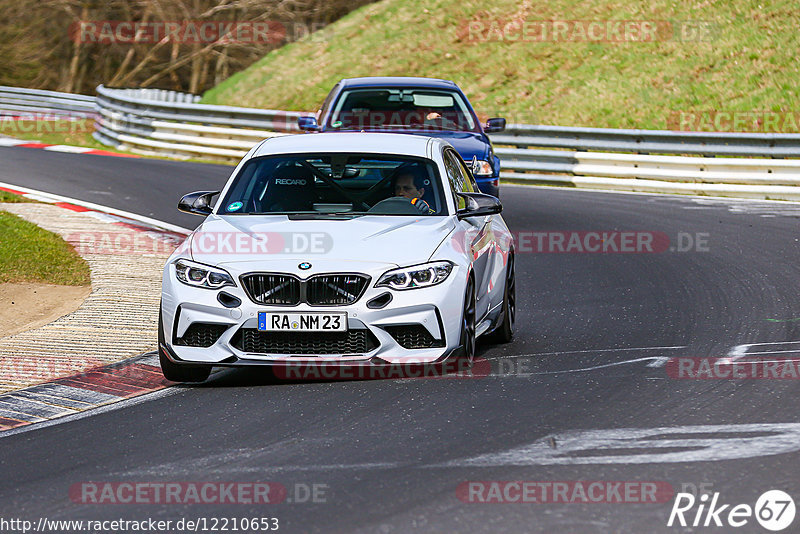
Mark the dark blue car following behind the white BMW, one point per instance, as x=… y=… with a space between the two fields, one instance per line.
x=421 y=106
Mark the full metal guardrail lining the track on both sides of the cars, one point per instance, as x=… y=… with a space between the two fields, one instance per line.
x=151 y=121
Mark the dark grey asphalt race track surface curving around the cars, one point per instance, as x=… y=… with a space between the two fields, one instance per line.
x=594 y=332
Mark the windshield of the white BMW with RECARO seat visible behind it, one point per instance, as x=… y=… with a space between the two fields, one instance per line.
x=336 y=184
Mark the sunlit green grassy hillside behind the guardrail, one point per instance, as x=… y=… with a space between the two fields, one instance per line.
x=747 y=62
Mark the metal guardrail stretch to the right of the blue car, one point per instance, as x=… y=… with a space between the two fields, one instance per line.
x=635 y=160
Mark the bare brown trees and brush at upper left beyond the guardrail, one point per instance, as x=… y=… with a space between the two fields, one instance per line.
x=48 y=44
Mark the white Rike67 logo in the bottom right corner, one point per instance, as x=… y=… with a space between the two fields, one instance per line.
x=774 y=510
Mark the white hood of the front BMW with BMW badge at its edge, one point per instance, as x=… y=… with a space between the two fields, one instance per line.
x=389 y=240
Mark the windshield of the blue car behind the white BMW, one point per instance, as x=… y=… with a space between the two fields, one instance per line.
x=387 y=109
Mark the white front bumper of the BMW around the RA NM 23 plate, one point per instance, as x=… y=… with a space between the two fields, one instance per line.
x=438 y=309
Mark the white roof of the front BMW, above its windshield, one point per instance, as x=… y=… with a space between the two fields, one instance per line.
x=381 y=143
